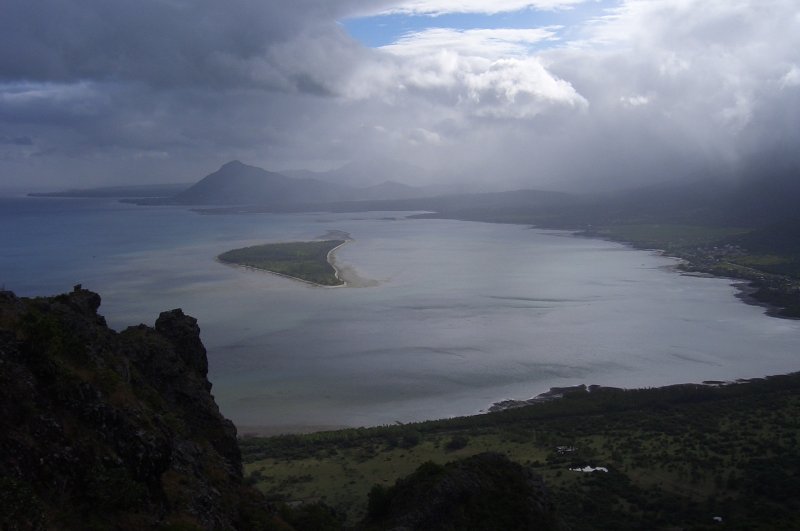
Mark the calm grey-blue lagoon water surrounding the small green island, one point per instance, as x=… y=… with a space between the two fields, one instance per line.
x=461 y=314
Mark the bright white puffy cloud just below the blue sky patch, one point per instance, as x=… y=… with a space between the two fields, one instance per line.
x=485 y=73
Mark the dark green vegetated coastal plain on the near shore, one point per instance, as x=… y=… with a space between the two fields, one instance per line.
x=676 y=456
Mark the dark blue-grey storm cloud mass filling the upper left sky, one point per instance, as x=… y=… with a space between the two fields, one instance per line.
x=187 y=83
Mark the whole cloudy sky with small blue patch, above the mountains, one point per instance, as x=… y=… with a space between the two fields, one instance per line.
x=557 y=94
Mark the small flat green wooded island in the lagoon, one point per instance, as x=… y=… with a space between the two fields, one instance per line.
x=306 y=261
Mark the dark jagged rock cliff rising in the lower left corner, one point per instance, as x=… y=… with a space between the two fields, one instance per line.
x=106 y=430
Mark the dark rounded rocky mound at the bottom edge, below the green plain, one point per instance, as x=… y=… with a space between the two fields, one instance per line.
x=485 y=492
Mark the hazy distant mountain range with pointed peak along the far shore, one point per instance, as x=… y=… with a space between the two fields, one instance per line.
x=759 y=201
